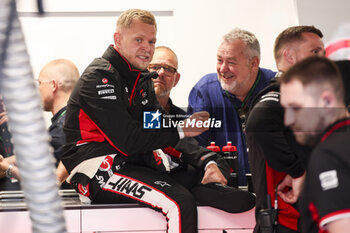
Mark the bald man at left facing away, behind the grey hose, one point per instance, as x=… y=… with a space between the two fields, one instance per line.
x=56 y=81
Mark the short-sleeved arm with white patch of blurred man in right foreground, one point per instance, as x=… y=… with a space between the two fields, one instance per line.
x=329 y=184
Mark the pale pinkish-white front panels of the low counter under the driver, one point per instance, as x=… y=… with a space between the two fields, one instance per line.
x=133 y=219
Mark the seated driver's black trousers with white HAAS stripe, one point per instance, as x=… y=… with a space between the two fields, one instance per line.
x=139 y=184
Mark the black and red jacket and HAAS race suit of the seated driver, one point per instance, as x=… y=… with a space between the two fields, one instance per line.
x=107 y=143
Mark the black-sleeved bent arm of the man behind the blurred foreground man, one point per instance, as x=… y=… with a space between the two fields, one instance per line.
x=265 y=125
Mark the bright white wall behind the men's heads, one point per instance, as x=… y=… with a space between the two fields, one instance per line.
x=192 y=28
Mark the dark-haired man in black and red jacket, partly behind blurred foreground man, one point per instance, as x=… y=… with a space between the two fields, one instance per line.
x=273 y=151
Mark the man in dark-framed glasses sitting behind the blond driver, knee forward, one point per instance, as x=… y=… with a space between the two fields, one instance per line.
x=191 y=176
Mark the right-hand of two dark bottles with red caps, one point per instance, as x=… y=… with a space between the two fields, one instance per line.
x=231 y=156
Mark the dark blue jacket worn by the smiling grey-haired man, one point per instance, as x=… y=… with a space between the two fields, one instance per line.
x=207 y=95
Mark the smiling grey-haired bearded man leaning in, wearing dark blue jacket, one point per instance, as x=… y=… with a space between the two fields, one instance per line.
x=227 y=94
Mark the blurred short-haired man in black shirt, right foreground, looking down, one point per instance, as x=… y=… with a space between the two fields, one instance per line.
x=312 y=94
